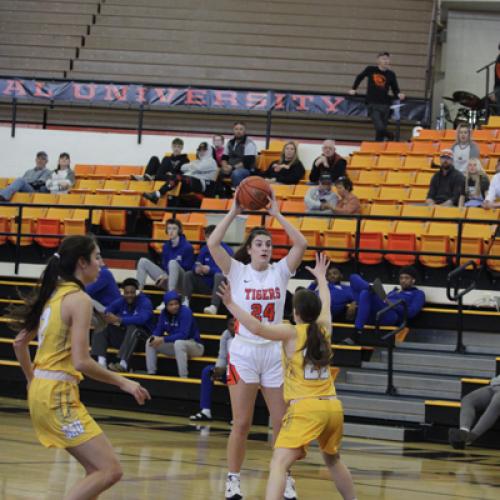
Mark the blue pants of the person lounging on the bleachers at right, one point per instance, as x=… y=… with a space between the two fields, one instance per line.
x=369 y=305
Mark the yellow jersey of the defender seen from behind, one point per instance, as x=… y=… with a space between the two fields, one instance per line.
x=305 y=380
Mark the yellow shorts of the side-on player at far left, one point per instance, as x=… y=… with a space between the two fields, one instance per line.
x=59 y=418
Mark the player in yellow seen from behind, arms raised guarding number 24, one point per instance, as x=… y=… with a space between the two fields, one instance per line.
x=313 y=411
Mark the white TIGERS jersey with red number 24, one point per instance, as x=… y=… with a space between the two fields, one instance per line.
x=261 y=293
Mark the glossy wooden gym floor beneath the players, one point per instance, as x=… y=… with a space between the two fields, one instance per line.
x=166 y=457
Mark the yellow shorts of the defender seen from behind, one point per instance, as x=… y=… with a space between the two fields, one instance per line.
x=310 y=419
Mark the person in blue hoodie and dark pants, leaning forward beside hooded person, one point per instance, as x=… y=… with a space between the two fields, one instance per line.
x=129 y=319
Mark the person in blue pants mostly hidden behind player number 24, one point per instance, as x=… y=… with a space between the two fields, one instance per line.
x=211 y=373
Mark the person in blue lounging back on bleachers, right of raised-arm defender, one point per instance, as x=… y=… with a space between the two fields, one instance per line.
x=369 y=304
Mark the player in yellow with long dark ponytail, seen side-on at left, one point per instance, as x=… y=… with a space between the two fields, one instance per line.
x=60 y=313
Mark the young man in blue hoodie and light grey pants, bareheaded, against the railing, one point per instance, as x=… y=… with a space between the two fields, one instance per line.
x=177 y=257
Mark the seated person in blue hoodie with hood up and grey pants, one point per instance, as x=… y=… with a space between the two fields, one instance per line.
x=176 y=334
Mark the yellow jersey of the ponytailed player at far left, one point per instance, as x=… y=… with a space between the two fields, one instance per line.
x=54 y=339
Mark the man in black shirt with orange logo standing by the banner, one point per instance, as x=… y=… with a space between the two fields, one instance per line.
x=380 y=80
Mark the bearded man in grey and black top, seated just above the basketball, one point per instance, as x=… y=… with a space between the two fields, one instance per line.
x=240 y=154
